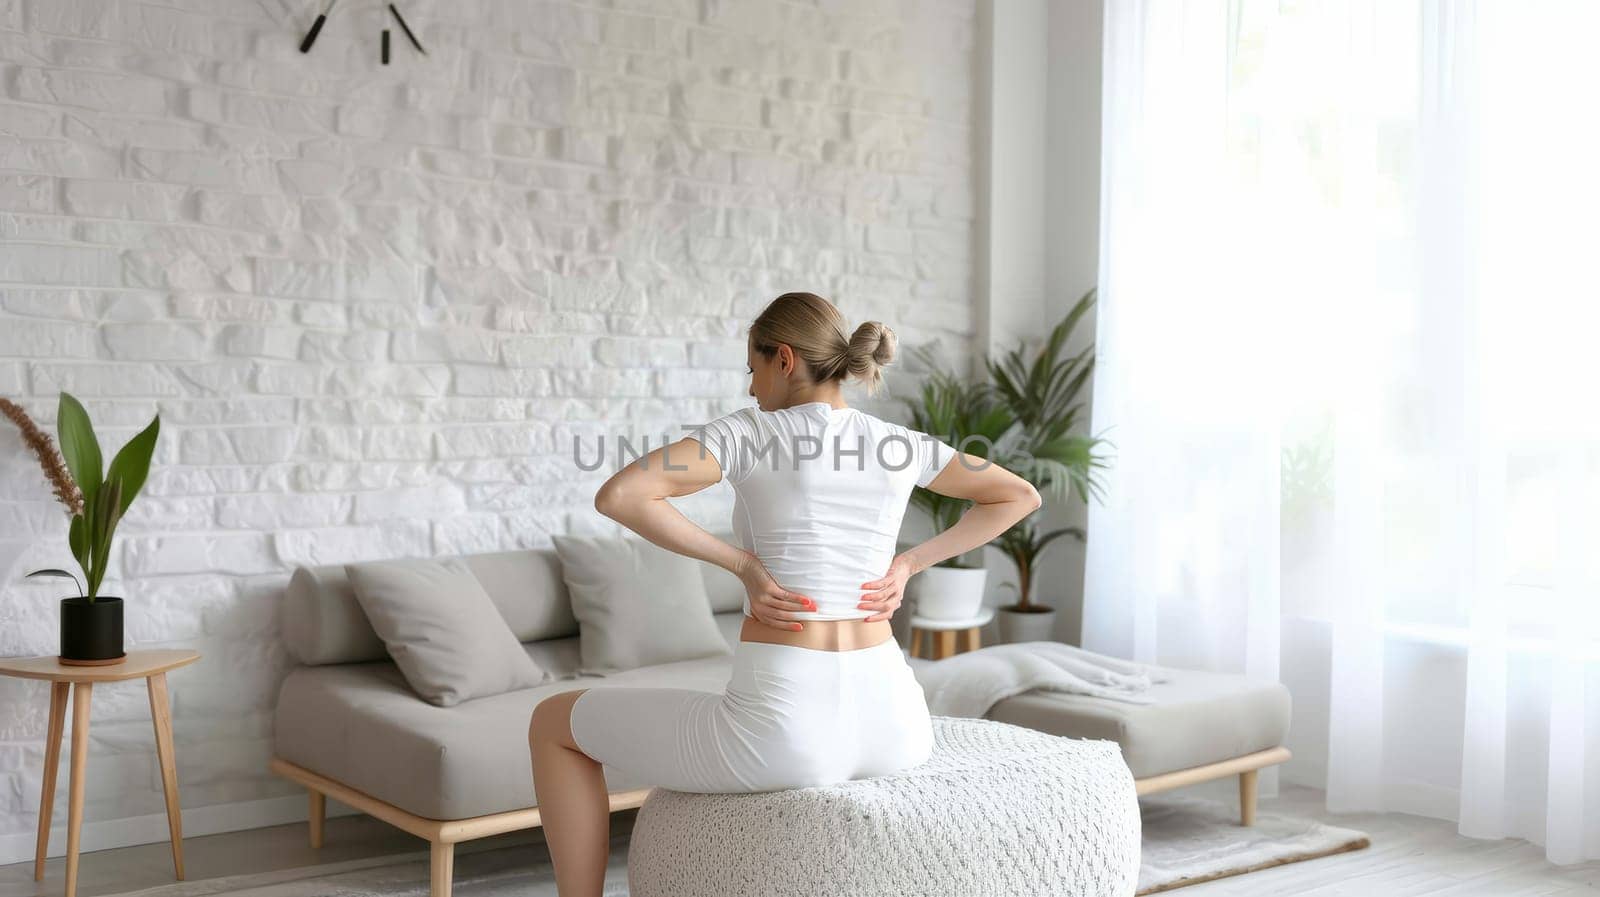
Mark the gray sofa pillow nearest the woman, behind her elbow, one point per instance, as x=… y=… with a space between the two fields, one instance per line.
x=638 y=605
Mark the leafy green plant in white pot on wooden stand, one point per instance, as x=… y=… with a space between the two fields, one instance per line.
x=962 y=413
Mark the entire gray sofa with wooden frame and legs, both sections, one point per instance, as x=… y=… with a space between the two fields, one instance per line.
x=350 y=727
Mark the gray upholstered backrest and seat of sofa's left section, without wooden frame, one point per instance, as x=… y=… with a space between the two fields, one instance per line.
x=348 y=714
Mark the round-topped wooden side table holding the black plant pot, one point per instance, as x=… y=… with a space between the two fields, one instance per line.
x=153 y=668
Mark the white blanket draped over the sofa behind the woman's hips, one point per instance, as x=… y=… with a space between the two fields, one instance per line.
x=970 y=684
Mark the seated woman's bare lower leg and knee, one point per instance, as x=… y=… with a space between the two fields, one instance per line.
x=574 y=805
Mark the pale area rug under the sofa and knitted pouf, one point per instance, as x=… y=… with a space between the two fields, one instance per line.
x=1186 y=842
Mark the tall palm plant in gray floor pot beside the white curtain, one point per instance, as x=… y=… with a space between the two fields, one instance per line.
x=1042 y=397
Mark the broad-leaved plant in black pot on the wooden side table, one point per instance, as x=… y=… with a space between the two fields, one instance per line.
x=97 y=500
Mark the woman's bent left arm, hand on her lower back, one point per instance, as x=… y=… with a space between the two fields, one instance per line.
x=638 y=498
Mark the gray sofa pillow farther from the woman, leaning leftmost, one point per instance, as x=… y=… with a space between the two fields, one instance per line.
x=442 y=629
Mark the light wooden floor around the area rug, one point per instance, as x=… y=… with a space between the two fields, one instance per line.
x=1410 y=856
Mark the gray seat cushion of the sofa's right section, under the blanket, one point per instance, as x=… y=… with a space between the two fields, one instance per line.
x=1198 y=719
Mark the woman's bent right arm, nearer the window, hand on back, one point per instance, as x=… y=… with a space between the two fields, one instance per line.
x=999 y=498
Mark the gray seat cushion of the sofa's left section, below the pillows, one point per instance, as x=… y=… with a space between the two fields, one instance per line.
x=361 y=725
